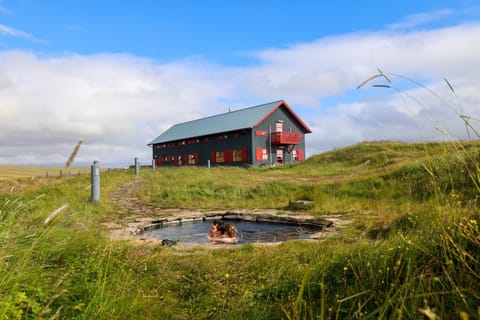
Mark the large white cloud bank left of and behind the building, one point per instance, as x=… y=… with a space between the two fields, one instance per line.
x=109 y=100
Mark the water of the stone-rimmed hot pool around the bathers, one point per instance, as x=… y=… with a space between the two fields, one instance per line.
x=196 y=231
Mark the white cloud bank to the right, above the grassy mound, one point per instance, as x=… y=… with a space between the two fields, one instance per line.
x=336 y=65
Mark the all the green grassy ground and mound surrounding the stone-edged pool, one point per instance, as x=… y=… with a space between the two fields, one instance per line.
x=411 y=250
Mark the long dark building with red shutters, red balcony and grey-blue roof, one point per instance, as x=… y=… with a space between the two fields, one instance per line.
x=267 y=134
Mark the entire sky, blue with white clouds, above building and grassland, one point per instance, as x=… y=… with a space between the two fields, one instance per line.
x=119 y=73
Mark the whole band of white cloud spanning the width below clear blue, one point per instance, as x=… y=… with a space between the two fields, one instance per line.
x=118 y=103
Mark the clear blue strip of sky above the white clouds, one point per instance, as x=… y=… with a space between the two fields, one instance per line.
x=220 y=31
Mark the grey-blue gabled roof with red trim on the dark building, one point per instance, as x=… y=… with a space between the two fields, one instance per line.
x=235 y=120
